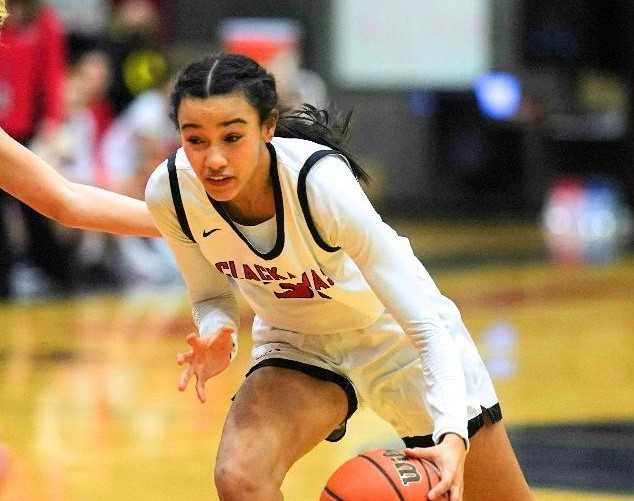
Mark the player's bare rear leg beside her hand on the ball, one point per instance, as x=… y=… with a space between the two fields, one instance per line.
x=491 y=468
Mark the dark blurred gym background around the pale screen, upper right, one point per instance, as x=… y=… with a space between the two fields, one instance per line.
x=432 y=149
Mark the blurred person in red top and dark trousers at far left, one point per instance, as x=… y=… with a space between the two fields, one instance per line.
x=32 y=68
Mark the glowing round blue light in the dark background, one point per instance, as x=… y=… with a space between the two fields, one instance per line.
x=499 y=95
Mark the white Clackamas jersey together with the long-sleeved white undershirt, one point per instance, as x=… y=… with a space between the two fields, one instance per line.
x=306 y=285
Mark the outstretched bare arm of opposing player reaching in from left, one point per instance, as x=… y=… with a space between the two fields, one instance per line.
x=33 y=181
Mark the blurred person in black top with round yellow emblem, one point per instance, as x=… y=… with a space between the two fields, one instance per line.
x=137 y=55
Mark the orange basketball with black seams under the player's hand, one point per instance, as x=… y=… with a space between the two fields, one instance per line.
x=382 y=475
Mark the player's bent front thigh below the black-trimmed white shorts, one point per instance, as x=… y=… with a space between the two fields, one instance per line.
x=279 y=415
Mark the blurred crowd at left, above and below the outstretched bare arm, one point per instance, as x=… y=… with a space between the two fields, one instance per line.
x=84 y=84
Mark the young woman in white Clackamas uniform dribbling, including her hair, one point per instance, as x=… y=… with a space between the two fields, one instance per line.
x=345 y=314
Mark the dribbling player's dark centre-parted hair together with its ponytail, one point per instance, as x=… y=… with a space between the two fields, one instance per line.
x=226 y=73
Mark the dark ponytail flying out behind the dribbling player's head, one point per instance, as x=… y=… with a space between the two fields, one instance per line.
x=316 y=125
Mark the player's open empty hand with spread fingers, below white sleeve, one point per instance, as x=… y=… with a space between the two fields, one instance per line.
x=209 y=356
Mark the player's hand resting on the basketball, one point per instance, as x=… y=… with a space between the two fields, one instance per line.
x=449 y=457
